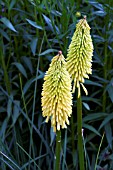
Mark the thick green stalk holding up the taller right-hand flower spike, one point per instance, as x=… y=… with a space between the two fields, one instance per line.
x=79 y=130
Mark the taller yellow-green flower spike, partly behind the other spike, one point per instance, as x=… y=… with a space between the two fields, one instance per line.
x=79 y=57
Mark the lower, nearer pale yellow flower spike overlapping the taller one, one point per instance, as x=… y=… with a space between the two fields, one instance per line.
x=56 y=93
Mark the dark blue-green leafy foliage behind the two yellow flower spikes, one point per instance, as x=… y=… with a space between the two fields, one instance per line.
x=31 y=33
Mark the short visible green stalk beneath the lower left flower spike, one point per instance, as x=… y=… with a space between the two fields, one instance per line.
x=58 y=150
